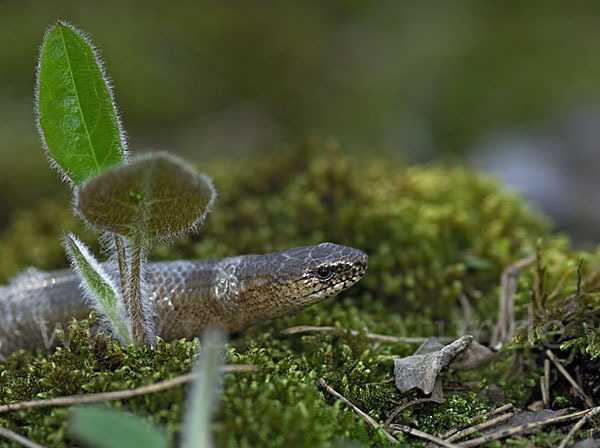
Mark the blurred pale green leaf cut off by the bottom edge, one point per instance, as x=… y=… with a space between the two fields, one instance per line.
x=102 y=427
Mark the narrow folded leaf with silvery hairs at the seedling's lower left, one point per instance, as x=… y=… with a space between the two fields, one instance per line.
x=102 y=291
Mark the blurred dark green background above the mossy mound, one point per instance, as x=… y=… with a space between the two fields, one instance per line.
x=221 y=78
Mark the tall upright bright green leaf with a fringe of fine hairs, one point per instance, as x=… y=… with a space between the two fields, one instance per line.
x=76 y=116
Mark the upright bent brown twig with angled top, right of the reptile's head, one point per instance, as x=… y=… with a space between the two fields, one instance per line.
x=508 y=288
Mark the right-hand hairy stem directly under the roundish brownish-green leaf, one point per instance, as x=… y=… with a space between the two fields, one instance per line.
x=139 y=325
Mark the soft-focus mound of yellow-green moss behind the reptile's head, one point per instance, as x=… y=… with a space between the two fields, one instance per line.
x=430 y=231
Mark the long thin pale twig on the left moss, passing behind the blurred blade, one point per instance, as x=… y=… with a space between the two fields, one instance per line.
x=118 y=394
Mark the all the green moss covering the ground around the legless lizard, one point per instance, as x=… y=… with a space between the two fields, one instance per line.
x=430 y=231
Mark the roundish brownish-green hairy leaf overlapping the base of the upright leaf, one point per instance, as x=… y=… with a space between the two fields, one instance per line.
x=157 y=196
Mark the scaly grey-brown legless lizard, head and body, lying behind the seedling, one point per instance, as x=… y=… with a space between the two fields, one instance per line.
x=187 y=296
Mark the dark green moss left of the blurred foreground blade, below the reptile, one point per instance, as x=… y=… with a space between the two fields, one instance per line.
x=90 y=364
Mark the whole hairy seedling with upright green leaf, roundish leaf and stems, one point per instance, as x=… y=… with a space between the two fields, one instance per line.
x=131 y=203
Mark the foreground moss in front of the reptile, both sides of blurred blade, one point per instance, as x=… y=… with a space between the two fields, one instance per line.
x=277 y=406
